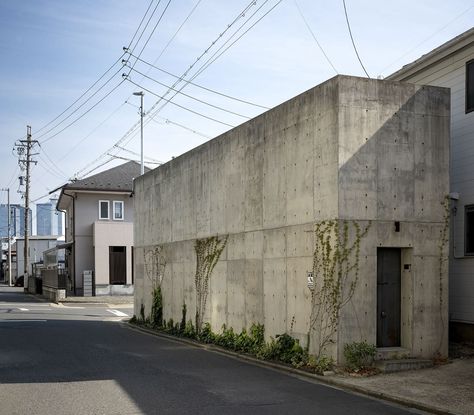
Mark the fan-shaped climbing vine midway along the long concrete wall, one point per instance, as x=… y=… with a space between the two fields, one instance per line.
x=208 y=251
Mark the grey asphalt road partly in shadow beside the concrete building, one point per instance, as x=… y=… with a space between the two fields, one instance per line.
x=84 y=360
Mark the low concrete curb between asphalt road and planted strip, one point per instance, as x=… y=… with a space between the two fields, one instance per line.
x=330 y=381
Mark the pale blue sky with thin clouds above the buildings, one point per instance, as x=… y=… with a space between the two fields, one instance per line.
x=54 y=50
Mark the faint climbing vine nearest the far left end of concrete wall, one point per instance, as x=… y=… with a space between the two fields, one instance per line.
x=155 y=263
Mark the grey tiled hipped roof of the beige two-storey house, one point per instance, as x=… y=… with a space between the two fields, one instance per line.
x=118 y=178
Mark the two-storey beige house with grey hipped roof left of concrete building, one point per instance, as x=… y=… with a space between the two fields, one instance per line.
x=99 y=231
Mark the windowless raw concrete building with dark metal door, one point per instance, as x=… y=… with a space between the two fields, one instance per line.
x=353 y=151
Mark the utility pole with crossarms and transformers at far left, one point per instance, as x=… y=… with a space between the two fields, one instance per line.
x=25 y=154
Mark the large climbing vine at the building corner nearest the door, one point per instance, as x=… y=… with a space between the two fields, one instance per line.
x=335 y=271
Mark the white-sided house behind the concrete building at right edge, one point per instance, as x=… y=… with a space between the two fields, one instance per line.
x=452 y=65
